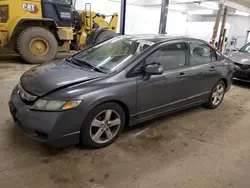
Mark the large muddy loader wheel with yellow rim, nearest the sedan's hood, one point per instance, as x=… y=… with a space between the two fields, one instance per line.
x=33 y=34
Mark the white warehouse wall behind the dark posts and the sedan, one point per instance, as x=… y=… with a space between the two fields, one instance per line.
x=145 y=20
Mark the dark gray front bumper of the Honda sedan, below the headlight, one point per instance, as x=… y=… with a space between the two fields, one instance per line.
x=53 y=128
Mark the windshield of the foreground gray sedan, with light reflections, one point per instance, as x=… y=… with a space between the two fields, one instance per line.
x=113 y=54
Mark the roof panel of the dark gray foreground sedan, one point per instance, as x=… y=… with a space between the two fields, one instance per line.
x=158 y=38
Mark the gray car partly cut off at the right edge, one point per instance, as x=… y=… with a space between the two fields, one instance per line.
x=242 y=63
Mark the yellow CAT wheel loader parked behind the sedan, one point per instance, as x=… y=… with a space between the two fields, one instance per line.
x=38 y=29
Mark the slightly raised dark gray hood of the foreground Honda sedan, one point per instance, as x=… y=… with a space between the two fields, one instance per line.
x=48 y=77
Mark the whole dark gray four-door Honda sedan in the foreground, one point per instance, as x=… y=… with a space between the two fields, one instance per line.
x=91 y=96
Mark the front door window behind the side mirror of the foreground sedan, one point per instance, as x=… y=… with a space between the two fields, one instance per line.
x=171 y=56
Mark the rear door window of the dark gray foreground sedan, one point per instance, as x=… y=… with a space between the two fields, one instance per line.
x=201 y=53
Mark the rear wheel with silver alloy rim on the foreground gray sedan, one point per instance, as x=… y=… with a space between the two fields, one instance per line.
x=217 y=95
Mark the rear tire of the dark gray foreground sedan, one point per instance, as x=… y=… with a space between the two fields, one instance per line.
x=210 y=103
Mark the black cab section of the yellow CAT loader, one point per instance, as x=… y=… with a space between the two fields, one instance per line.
x=61 y=11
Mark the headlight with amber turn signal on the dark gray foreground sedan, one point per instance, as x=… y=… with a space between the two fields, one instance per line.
x=49 y=105
